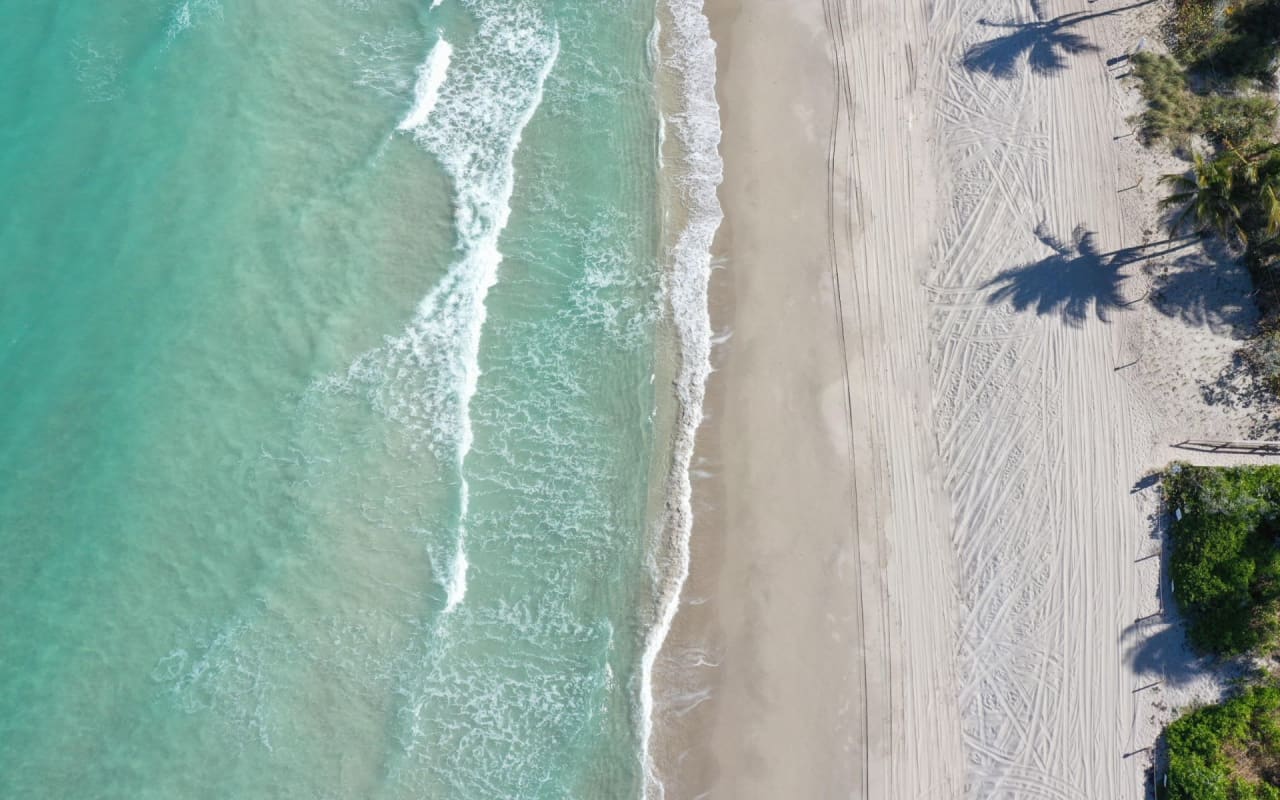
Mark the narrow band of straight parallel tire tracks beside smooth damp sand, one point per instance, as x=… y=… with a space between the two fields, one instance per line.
x=907 y=577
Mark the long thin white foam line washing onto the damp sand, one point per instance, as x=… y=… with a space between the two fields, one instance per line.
x=691 y=58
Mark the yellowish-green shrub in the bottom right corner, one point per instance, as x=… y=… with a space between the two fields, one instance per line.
x=1227 y=752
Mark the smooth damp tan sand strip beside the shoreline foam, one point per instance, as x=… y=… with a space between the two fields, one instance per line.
x=776 y=673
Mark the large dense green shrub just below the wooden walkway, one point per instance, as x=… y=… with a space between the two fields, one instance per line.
x=1226 y=557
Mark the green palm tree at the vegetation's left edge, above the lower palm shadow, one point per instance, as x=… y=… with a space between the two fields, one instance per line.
x=1208 y=198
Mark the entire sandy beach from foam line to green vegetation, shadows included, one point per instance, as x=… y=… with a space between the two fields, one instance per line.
x=924 y=552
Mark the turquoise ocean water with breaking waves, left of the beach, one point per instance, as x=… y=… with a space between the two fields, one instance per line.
x=337 y=428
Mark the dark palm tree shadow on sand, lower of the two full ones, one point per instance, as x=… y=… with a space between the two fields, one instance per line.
x=1075 y=281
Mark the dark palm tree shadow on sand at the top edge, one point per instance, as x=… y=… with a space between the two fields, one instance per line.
x=1045 y=44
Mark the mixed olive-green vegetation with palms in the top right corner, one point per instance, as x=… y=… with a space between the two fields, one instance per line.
x=1214 y=102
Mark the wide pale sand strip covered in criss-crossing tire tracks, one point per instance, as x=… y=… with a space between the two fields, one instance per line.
x=1039 y=435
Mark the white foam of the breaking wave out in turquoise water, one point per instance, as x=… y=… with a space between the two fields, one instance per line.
x=427 y=377
